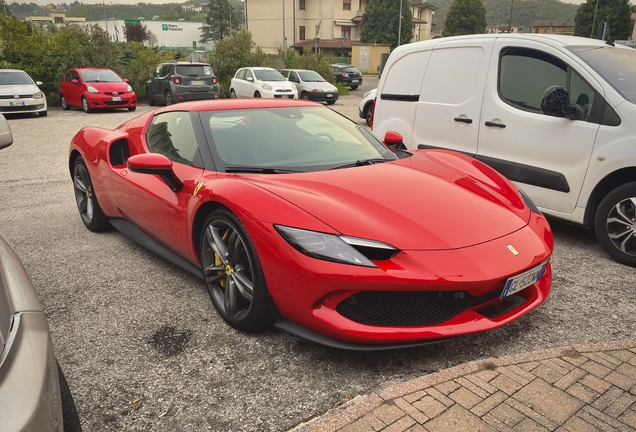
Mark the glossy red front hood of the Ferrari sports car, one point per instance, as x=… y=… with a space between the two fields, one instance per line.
x=419 y=203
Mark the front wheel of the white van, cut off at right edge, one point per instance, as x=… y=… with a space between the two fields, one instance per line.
x=615 y=224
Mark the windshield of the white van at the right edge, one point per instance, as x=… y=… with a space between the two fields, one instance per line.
x=616 y=65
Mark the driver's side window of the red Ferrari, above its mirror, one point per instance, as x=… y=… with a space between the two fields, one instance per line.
x=171 y=134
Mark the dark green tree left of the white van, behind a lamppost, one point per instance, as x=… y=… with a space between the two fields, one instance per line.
x=381 y=21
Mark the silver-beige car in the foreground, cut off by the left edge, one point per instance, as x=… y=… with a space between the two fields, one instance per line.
x=34 y=395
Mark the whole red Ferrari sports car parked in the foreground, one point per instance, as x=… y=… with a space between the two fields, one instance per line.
x=297 y=217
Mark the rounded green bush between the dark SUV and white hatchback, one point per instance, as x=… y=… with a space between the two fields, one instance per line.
x=236 y=51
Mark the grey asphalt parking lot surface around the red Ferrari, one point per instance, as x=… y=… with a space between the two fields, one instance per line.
x=143 y=348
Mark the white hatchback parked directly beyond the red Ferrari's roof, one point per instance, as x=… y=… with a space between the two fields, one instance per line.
x=255 y=82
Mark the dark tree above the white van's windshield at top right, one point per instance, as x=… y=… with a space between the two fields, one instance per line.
x=616 y=12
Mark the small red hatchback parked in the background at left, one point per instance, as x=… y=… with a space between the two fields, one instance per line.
x=96 y=88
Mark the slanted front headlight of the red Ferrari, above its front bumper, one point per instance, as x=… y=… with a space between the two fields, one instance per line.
x=341 y=249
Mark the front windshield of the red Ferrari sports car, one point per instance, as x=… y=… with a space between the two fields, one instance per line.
x=298 y=139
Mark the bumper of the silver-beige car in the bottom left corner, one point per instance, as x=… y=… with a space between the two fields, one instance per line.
x=29 y=385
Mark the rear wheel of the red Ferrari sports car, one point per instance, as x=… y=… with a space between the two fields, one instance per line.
x=87 y=204
